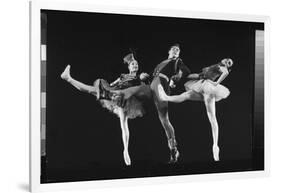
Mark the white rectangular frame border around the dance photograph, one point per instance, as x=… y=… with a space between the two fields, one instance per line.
x=35 y=94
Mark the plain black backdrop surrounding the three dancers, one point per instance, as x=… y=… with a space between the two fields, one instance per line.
x=84 y=140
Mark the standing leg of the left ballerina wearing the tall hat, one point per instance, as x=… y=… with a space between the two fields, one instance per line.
x=125 y=135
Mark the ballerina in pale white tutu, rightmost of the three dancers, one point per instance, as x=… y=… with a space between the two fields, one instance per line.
x=206 y=87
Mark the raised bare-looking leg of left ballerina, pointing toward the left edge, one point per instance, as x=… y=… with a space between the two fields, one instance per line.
x=79 y=85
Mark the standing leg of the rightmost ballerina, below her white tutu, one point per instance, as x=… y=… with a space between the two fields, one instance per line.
x=210 y=104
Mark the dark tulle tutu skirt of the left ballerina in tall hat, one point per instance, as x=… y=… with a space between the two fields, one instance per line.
x=133 y=107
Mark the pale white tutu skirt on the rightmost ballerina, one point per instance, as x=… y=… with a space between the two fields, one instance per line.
x=205 y=87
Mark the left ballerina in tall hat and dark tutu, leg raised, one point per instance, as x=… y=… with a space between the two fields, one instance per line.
x=130 y=108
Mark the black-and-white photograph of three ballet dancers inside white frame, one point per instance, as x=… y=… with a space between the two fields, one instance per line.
x=132 y=96
